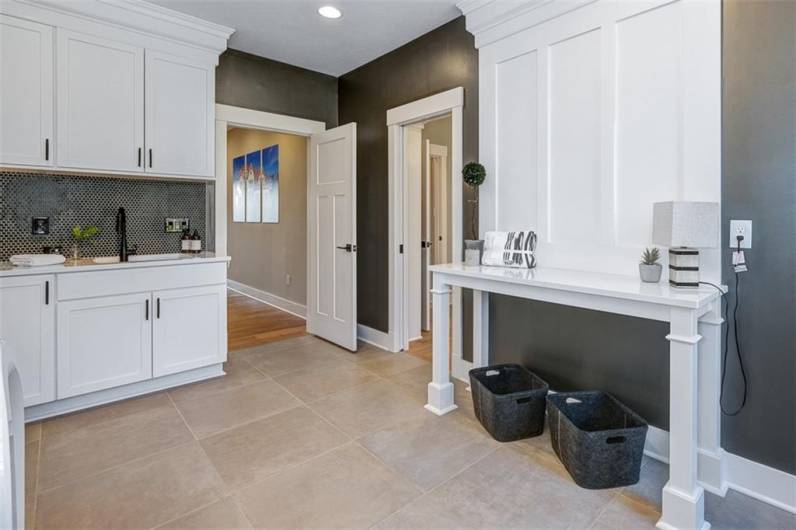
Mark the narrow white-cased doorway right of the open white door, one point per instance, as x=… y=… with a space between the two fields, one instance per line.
x=413 y=232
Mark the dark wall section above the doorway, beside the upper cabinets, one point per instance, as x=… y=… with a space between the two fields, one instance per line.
x=249 y=81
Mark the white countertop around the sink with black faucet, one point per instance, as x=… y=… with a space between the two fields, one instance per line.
x=86 y=264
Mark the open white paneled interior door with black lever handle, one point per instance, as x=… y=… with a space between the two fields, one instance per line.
x=332 y=241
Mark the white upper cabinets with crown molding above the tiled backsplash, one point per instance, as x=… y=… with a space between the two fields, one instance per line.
x=121 y=87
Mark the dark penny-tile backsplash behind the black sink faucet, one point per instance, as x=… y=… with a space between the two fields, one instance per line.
x=70 y=200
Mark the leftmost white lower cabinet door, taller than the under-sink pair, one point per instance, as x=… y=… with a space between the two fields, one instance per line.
x=27 y=326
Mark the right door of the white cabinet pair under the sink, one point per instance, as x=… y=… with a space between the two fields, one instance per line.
x=190 y=328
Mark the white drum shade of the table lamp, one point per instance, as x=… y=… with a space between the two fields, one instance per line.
x=685 y=224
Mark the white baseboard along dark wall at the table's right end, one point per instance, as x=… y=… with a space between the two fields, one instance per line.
x=756 y=480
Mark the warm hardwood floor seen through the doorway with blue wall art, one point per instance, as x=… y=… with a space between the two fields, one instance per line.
x=251 y=323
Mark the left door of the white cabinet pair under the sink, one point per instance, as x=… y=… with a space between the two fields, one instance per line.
x=103 y=343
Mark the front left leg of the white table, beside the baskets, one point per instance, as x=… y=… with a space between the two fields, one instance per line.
x=440 y=389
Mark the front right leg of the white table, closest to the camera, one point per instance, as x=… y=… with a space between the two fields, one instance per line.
x=683 y=497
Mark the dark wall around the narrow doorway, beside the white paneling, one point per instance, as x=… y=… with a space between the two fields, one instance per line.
x=440 y=60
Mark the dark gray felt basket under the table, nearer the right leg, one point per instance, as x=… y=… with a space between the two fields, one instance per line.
x=598 y=439
